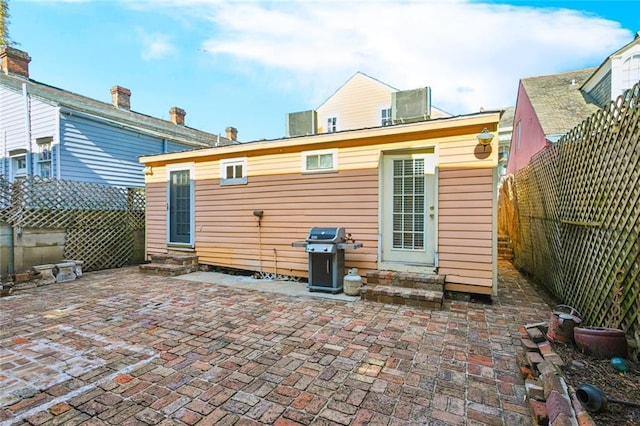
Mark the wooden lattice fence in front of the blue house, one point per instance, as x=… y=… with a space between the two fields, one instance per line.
x=100 y=220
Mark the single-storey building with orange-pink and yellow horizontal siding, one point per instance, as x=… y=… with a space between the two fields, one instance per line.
x=419 y=197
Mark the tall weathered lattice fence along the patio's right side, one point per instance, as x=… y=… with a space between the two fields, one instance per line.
x=574 y=216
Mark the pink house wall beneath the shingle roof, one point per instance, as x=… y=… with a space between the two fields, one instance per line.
x=526 y=128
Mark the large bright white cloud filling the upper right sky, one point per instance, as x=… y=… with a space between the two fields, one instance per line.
x=471 y=54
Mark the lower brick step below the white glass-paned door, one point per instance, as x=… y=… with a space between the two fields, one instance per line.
x=416 y=297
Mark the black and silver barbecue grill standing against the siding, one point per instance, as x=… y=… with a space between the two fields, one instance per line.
x=326 y=247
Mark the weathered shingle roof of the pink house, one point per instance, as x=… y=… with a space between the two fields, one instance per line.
x=558 y=101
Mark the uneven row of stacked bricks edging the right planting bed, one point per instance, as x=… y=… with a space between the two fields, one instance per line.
x=551 y=400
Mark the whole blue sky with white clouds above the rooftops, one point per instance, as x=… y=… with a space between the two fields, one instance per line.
x=247 y=63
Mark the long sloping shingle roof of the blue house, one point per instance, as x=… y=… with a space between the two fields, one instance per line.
x=83 y=104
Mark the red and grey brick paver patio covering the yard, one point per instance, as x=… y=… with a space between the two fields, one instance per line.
x=120 y=347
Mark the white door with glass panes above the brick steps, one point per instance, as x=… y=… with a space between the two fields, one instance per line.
x=408 y=209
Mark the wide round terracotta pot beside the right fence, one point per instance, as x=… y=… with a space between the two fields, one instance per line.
x=601 y=342
